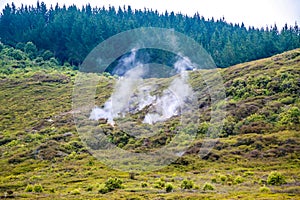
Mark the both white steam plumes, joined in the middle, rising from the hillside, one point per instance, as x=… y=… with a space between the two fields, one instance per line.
x=131 y=96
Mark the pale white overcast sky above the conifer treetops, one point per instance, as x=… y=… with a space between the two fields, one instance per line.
x=257 y=13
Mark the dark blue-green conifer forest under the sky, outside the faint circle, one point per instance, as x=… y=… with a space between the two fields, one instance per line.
x=71 y=33
